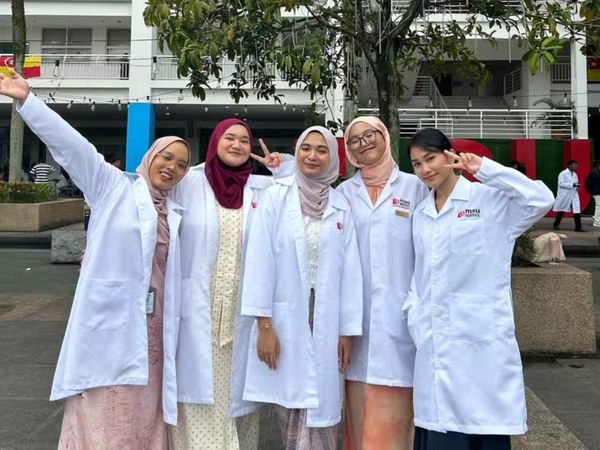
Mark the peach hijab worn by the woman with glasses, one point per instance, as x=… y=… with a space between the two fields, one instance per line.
x=376 y=175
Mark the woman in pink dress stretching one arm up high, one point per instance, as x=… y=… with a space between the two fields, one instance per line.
x=117 y=362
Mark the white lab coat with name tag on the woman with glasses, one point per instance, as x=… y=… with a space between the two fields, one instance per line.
x=385 y=354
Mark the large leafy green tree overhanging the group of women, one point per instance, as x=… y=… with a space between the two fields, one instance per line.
x=318 y=46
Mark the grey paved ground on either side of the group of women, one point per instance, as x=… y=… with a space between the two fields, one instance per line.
x=35 y=298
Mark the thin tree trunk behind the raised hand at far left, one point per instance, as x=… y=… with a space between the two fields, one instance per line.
x=16 y=123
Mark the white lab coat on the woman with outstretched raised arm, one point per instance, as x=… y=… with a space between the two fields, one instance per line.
x=106 y=342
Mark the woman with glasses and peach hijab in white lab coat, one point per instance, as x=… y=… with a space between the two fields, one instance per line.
x=379 y=379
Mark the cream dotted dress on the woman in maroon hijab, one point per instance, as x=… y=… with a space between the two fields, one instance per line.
x=209 y=427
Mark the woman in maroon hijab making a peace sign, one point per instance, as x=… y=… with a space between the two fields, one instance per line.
x=220 y=197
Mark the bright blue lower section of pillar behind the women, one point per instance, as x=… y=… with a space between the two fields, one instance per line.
x=140 y=133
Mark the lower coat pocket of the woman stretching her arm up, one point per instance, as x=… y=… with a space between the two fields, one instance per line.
x=107 y=304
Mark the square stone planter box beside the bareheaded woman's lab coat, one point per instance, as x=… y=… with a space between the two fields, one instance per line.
x=554 y=309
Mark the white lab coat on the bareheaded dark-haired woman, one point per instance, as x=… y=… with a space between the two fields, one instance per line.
x=468 y=372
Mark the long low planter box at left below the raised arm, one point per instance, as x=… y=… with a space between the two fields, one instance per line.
x=40 y=216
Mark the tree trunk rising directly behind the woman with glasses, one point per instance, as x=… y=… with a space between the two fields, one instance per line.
x=390 y=90
